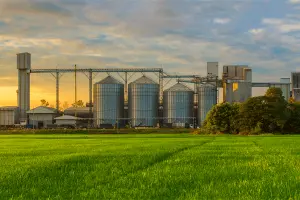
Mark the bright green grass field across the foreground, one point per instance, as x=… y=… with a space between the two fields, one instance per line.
x=158 y=166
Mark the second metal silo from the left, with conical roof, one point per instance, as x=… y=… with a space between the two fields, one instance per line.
x=143 y=96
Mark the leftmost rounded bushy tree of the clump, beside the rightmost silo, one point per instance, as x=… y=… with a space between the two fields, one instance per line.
x=222 y=118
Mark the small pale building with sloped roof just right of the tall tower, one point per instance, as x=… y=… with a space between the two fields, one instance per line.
x=42 y=116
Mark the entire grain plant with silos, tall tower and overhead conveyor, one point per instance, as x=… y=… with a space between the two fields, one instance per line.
x=142 y=102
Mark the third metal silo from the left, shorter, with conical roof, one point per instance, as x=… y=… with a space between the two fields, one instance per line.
x=178 y=105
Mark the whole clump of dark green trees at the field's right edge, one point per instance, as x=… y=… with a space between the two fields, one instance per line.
x=269 y=113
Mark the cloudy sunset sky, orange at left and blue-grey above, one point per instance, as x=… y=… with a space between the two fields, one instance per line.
x=180 y=35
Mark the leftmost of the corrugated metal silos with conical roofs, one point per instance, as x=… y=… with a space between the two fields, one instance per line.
x=108 y=102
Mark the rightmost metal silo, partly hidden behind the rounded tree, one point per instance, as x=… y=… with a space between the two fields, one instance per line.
x=207 y=95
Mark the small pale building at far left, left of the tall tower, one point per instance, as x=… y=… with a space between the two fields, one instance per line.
x=9 y=115
